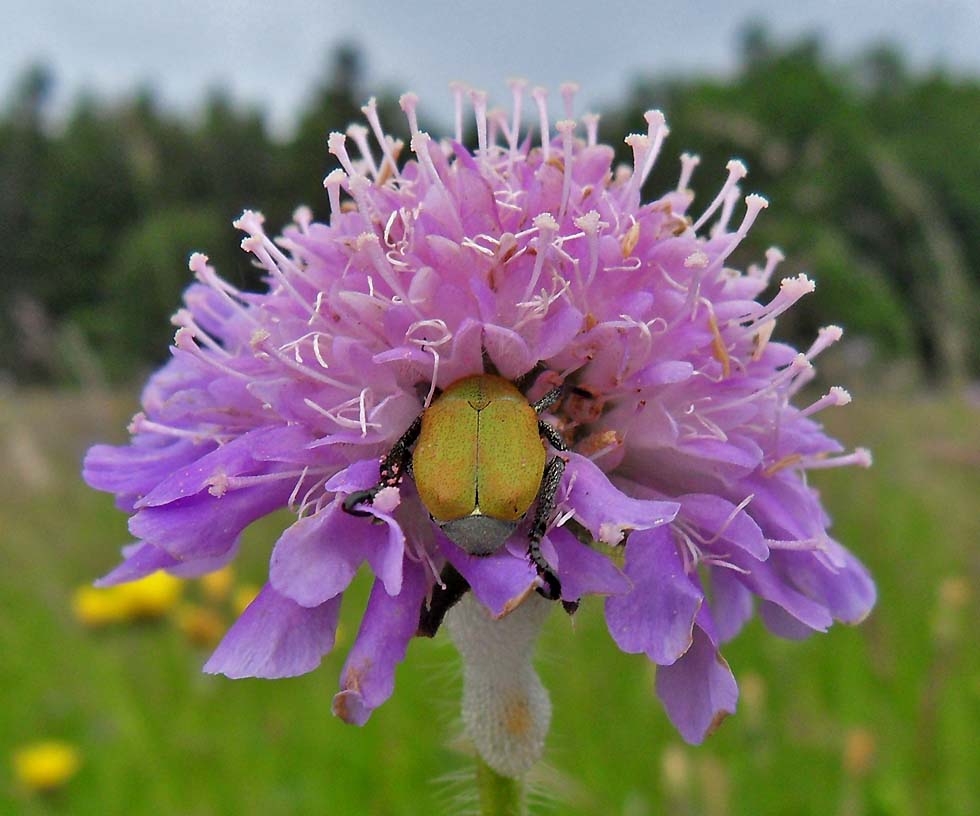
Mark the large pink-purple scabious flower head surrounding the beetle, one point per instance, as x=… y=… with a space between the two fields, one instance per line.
x=533 y=257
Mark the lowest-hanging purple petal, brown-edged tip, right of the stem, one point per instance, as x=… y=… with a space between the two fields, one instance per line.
x=698 y=691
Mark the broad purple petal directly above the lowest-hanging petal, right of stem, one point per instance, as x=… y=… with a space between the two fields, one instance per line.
x=657 y=616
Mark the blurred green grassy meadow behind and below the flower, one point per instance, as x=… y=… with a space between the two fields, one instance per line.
x=875 y=720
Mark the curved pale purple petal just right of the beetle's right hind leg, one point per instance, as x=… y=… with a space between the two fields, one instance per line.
x=604 y=510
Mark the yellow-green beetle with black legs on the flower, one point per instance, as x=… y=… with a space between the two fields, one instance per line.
x=479 y=464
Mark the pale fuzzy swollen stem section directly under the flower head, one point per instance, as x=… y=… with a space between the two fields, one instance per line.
x=506 y=709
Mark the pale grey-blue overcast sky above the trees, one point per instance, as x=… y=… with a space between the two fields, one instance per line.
x=271 y=52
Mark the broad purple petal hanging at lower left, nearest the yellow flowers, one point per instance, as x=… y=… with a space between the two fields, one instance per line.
x=276 y=637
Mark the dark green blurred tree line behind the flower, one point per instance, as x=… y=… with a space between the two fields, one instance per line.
x=871 y=171
